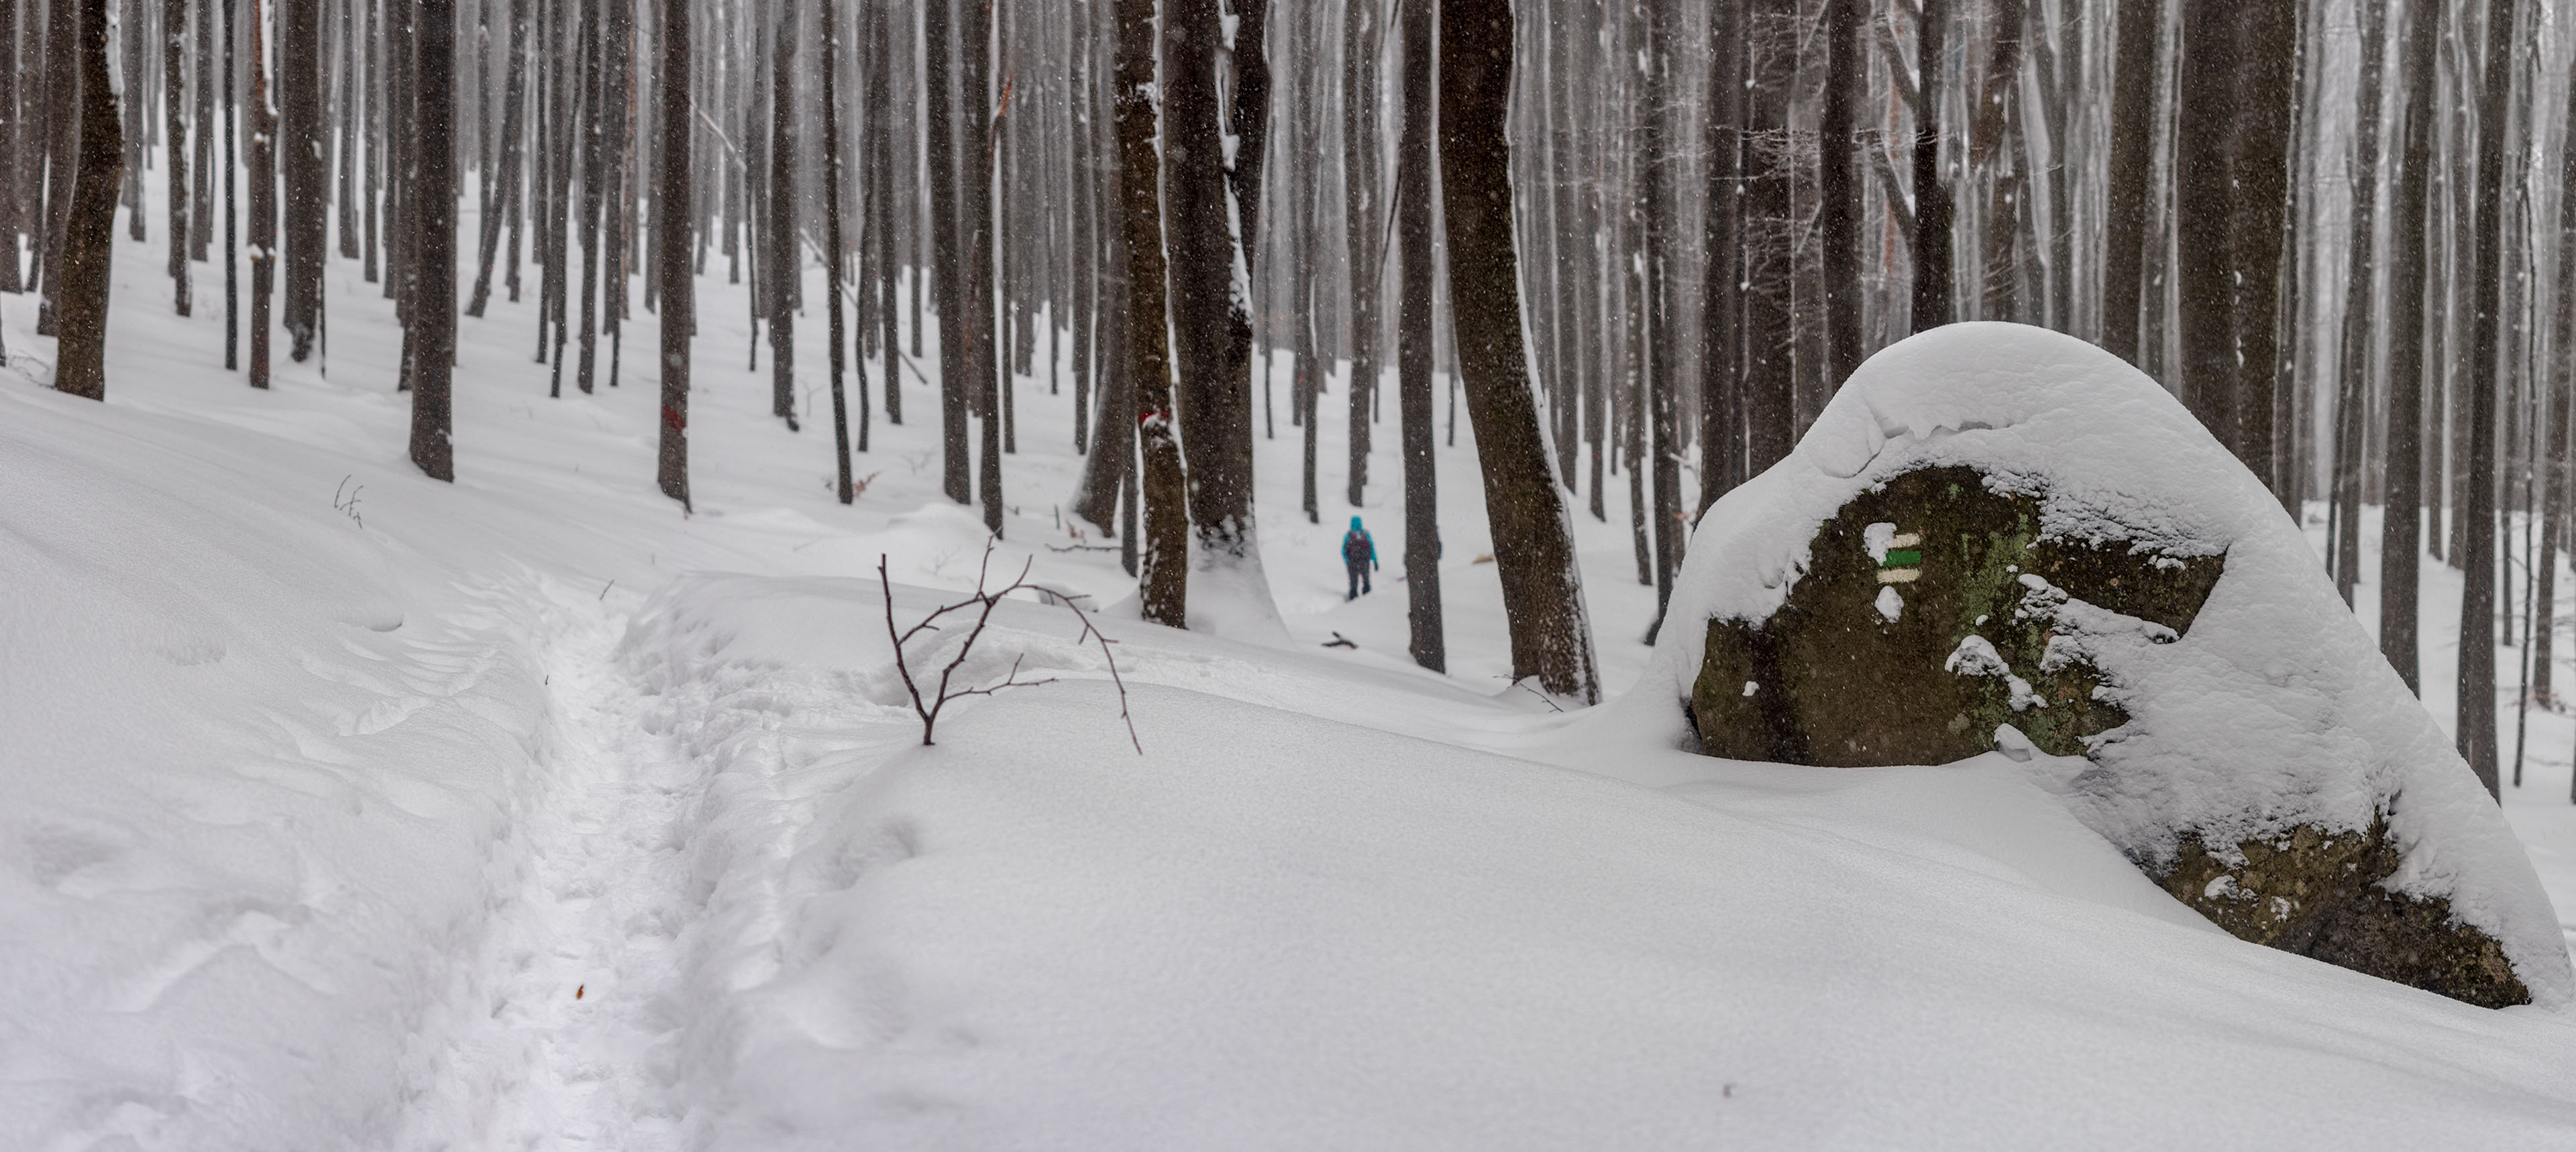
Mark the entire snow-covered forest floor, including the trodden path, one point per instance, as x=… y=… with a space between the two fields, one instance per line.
x=529 y=813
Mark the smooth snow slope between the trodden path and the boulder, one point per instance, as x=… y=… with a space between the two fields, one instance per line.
x=1284 y=929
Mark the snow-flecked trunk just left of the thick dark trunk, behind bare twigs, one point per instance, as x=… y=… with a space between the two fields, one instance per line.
x=1166 y=540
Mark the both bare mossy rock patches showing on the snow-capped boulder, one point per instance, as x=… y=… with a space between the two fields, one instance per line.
x=1933 y=612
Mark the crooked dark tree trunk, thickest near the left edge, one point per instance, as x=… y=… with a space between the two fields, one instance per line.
x=81 y=357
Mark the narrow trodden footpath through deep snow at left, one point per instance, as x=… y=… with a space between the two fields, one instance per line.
x=563 y=1030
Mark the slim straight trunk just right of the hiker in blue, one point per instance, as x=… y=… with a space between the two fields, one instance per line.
x=1416 y=341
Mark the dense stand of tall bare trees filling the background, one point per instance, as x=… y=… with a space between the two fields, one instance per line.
x=1640 y=244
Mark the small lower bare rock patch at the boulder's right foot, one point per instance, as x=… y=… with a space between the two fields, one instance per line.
x=2320 y=896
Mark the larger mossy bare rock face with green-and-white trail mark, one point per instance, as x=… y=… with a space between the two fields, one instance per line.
x=1928 y=617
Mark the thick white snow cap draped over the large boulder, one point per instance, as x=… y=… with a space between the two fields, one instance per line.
x=2268 y=718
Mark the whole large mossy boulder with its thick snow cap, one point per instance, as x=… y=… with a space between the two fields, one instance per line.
x=2008 y=540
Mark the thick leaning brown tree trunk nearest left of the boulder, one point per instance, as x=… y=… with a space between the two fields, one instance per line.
x=1534 y=537
